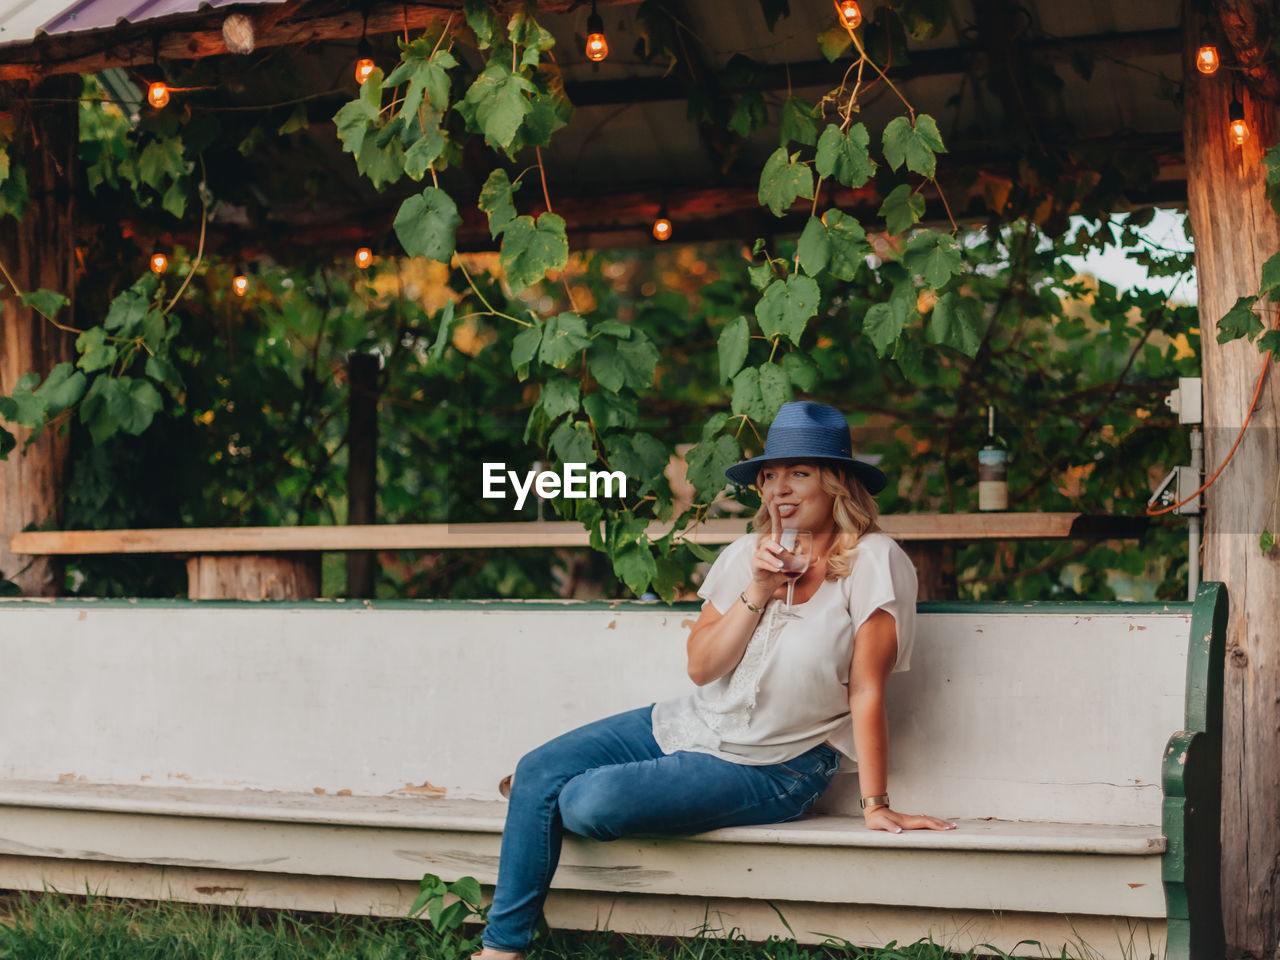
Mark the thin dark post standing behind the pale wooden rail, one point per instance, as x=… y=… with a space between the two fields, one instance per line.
x=362 y=467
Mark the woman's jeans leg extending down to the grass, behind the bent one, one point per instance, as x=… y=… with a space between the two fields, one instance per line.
x=532 y=838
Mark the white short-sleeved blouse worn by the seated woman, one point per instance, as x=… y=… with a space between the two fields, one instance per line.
x=790 y=692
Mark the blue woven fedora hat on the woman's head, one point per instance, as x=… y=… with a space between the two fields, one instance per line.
x=813 y=432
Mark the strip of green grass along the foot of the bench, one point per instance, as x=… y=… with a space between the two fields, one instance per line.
x=60 y=927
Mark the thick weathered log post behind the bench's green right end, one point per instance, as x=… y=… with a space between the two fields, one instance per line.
x=1236 y=234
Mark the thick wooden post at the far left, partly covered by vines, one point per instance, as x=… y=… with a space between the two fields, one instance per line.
x=39 y=253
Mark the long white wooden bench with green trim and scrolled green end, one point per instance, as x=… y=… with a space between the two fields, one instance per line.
x=324 y=756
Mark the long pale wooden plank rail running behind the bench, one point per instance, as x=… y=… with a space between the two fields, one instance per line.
x=442 y=537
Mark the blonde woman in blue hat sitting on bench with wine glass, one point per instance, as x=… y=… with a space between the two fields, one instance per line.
x=779 y=701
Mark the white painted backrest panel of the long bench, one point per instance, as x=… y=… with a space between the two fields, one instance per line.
x=1055 y=712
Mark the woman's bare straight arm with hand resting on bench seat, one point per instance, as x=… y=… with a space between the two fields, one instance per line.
x=875 y=656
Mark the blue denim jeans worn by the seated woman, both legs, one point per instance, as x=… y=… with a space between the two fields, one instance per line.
x=611 y=779
